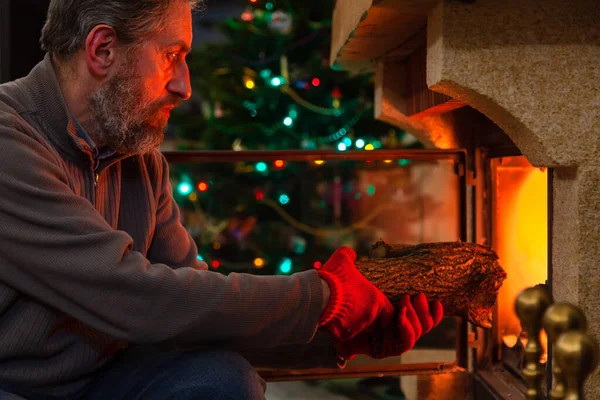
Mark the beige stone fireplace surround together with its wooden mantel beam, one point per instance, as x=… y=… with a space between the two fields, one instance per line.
x=529 y=74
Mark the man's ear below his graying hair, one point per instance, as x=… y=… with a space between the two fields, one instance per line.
x=100 y=50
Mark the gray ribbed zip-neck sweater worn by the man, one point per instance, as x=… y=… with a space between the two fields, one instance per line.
x=93 y=261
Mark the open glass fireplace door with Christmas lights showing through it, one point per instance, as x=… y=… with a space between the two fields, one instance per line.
x=277 y=213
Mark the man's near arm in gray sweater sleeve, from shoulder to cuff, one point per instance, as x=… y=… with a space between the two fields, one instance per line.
x=56 y=248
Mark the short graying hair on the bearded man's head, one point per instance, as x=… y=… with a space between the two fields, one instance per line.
x=70 y=21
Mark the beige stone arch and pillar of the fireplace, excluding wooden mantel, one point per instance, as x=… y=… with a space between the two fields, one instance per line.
x=533 y=69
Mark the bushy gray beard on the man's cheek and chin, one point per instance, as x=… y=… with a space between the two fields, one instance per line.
x=122 y=119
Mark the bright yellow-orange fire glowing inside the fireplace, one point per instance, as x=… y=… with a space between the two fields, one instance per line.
x=521 y=239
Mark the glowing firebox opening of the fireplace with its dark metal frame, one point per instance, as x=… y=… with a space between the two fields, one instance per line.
x=513 y=205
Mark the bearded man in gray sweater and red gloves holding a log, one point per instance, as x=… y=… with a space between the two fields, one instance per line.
x=101 y=292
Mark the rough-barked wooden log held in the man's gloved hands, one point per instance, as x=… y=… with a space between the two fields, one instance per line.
x=465 y=277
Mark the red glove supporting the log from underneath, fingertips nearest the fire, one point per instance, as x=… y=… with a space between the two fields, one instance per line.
x=414 y=320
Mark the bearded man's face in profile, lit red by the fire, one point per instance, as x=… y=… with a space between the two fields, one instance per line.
x=131 y=109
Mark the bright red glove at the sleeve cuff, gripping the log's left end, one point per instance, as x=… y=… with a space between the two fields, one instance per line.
x=354 y=302
